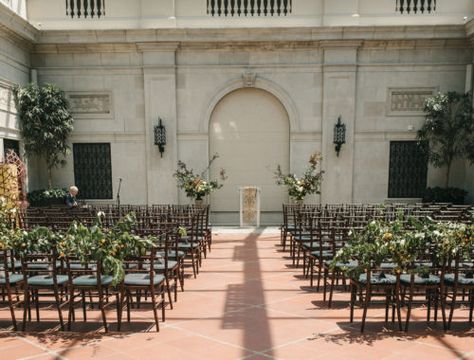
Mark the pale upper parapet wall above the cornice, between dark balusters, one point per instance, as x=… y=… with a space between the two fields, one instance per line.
x=126 y=14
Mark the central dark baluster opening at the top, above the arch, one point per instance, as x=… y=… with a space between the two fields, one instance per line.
x=249 y=7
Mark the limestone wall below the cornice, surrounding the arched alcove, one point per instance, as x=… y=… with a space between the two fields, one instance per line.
x=181 y=80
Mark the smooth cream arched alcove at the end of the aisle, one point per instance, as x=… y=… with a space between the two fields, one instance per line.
x=249 y=128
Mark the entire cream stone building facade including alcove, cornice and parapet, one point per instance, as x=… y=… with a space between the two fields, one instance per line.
x=260 y=91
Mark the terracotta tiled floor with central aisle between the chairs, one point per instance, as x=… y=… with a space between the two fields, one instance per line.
x=247 y=303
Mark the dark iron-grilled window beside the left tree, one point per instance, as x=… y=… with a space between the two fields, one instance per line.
x=93 y=170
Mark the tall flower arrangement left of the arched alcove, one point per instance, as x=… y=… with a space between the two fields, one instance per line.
x=197 y=186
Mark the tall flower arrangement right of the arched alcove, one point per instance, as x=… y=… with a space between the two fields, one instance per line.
x=309 y=183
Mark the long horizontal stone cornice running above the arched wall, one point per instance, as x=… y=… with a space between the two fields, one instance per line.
x=300 y=34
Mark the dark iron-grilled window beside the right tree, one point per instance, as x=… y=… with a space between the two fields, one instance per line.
x=408 y=169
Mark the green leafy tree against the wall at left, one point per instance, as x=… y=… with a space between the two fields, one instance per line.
x=45 y=123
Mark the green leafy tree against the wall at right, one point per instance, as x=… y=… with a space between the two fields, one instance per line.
x=448 y=129
